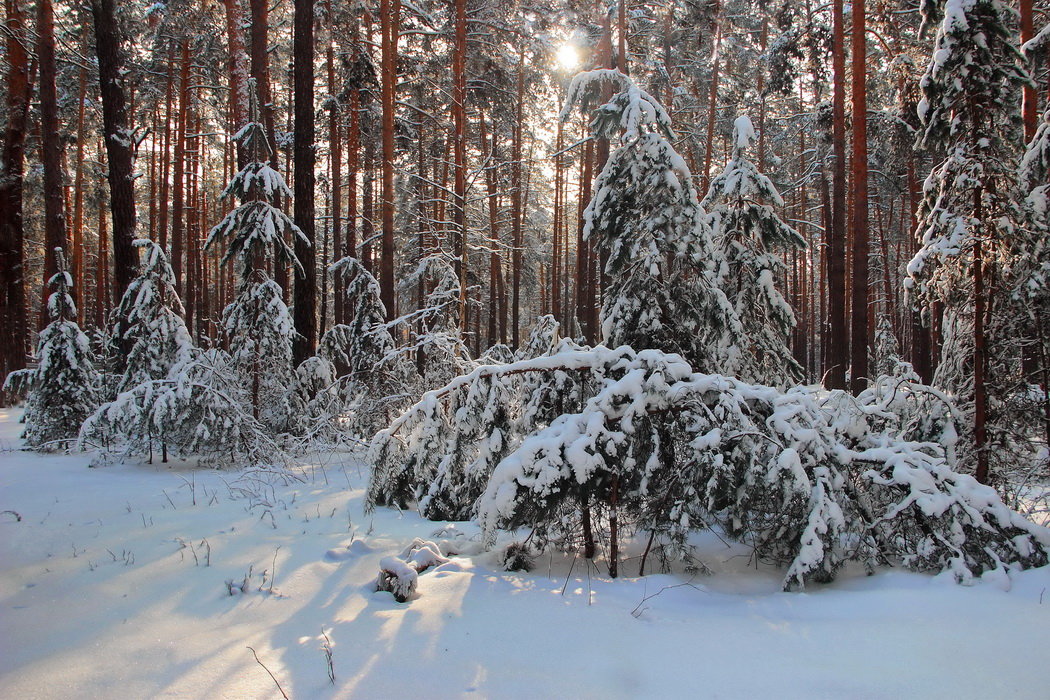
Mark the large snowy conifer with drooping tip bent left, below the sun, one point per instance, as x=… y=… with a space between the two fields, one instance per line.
x=647 y=221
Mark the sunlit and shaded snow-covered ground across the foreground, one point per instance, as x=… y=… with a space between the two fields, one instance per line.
x=114 y=585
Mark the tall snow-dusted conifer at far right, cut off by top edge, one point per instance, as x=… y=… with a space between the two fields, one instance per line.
x=970 y=119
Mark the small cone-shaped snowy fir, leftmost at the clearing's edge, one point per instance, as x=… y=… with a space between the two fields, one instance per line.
x=62 y=390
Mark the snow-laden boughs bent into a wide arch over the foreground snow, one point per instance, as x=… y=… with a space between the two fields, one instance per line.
x=811 y=479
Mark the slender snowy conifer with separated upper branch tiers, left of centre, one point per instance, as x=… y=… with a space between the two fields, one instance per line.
x=258 y=323
